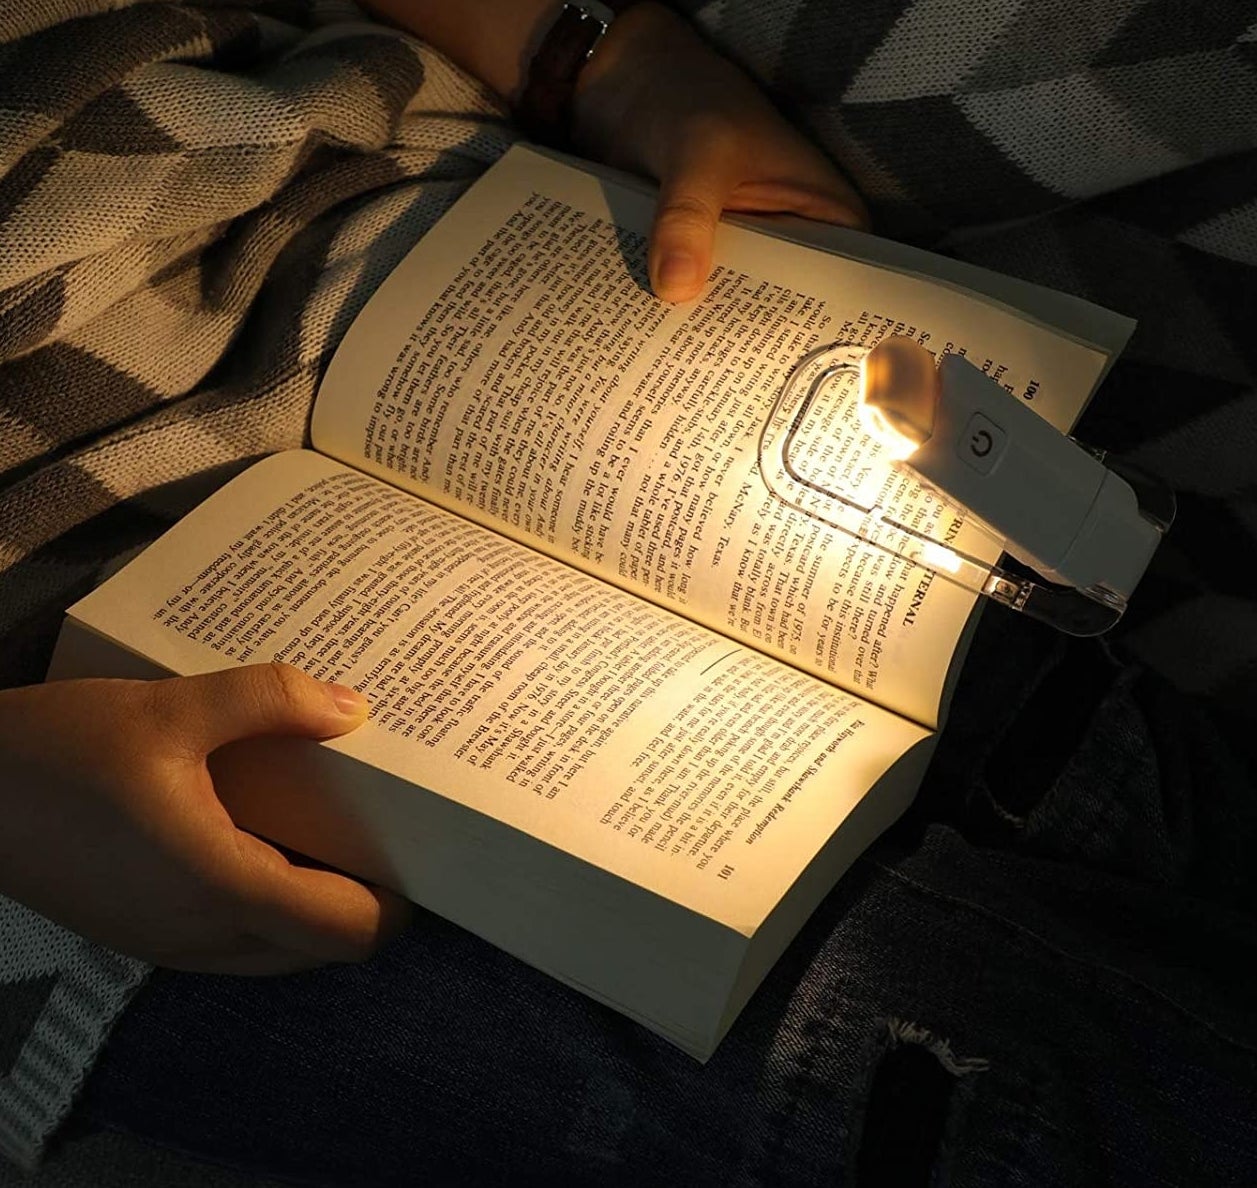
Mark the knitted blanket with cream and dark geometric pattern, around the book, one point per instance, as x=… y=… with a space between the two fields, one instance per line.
x=195 y=201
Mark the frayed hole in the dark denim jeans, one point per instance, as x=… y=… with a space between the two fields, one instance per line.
x=909 y=1103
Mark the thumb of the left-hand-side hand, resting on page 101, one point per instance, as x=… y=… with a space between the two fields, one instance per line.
x=244 y=702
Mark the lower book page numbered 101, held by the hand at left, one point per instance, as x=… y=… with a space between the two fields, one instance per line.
x=513 y=685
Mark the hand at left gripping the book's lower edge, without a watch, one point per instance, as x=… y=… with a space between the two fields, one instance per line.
x=110 y=824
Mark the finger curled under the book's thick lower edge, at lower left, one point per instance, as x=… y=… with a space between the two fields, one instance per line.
x=317 y=912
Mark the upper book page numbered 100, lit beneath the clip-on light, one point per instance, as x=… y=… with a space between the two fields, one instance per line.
x=517 y=369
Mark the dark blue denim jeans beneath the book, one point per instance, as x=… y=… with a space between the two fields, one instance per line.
x=1041 y=976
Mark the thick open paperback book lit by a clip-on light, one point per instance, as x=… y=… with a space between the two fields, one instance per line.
x=633 y=718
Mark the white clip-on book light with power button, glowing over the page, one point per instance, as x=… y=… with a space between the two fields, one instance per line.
x=845 y=413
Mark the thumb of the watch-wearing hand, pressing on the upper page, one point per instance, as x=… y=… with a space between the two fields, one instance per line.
x=684 y=231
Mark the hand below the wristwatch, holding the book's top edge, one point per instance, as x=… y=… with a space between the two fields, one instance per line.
x=656 y=99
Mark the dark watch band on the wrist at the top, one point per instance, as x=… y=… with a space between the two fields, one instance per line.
x=545 y=107
